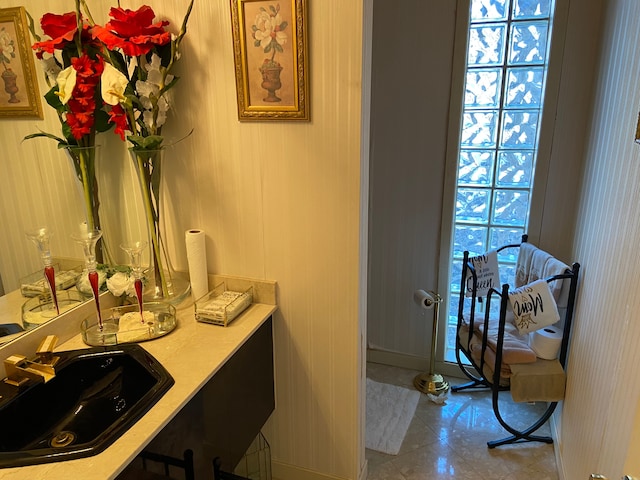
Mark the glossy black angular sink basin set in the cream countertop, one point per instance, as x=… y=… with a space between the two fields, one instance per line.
x=96 y=395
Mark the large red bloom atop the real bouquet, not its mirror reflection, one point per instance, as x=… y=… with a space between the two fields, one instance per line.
x=132 y=31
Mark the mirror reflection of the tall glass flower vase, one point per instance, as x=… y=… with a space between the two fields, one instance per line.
x=84 y=160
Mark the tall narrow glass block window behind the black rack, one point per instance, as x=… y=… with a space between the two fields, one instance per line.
x=506 y=66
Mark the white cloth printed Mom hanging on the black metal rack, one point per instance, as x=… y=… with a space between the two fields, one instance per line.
x=533 y=306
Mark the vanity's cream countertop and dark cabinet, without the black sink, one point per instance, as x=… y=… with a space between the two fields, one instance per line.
x=226 y=371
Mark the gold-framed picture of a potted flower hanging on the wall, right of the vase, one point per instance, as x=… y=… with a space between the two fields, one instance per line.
x=270 y=50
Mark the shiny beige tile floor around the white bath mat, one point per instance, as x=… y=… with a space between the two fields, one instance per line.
x=449 y=441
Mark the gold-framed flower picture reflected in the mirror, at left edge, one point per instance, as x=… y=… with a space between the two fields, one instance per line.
x=19 y=93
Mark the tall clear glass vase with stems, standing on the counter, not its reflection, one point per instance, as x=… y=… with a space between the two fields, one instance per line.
x=161 y=282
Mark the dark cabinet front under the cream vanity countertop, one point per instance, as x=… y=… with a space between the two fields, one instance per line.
x=224 y=417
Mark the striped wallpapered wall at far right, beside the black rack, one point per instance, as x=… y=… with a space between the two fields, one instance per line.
x=603 y=388
